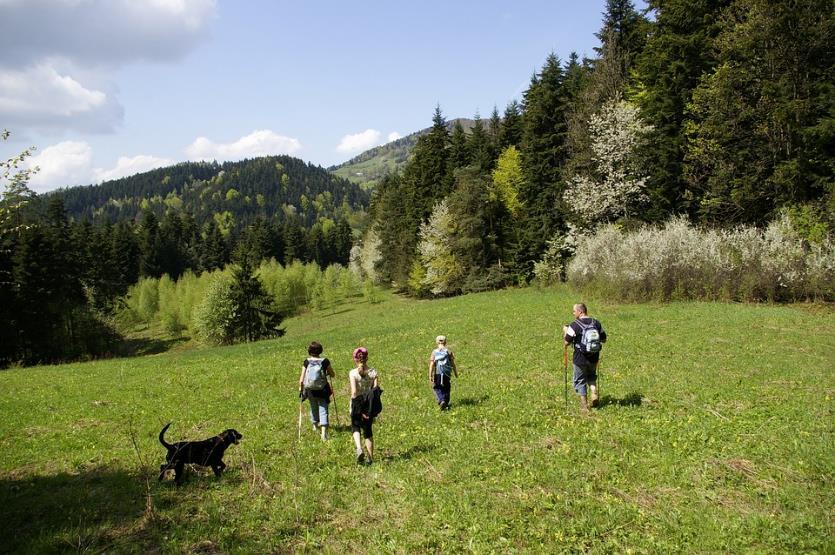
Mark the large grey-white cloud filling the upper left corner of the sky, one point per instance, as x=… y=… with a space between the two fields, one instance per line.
x=53 y=52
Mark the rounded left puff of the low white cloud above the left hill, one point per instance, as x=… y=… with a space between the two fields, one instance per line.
x=62 y=165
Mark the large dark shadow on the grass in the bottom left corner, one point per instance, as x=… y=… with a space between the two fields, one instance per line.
x=98 y=510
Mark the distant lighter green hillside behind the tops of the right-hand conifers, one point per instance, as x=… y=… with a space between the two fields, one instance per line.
x=368 y=168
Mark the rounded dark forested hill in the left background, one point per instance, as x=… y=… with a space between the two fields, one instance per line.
x=243 y=191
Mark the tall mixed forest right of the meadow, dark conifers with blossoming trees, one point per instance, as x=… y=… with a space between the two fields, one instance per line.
x=720 y=111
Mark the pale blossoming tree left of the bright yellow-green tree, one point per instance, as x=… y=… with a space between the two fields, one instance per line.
x=443 y=273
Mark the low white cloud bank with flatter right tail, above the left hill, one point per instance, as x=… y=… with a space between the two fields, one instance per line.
x=70 y=163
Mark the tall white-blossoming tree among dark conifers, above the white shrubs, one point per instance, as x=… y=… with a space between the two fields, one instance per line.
x=612 y=189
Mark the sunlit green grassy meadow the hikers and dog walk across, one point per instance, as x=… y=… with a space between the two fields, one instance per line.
x=715 y=435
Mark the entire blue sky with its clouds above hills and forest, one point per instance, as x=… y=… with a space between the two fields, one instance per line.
x=107 y=88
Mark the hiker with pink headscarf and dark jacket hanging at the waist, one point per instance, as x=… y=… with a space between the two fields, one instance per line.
x=365 y=403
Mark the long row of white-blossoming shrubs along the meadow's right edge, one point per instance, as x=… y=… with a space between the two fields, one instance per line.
x=680 y=261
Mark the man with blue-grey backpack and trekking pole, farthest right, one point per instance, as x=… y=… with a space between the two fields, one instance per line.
x=587 y=336
